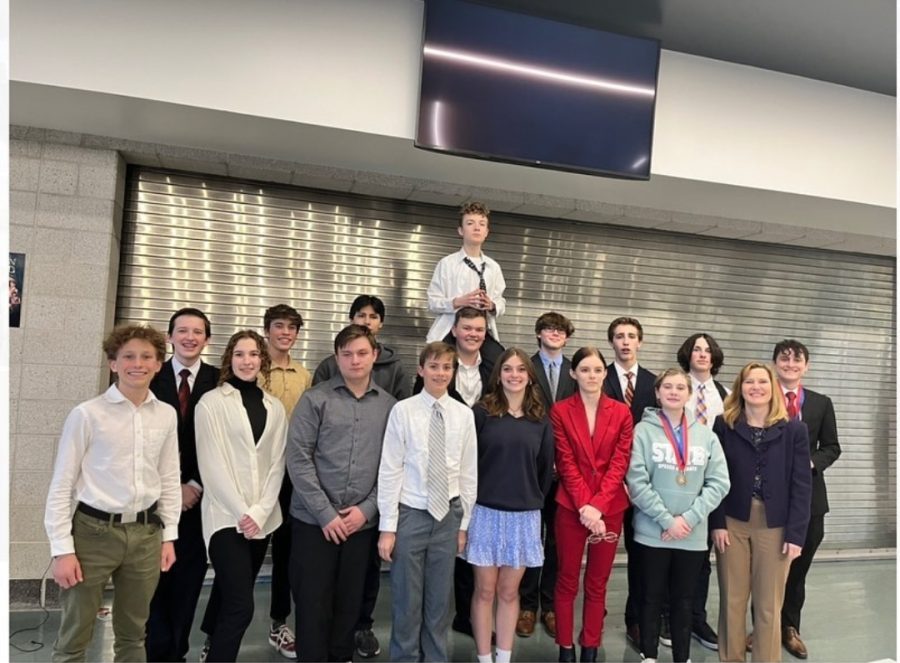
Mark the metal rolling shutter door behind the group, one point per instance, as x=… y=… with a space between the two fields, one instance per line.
x=234 y=248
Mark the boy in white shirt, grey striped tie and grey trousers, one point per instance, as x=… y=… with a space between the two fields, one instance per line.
x=425 y=502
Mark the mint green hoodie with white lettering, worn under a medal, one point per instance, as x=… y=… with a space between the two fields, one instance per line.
x=652 y=486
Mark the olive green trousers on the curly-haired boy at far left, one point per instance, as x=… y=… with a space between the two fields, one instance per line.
x=131 y=555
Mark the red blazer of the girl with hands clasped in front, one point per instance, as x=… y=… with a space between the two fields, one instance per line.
x=592 y=471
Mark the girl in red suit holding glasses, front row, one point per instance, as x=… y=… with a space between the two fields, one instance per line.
x=593 y=447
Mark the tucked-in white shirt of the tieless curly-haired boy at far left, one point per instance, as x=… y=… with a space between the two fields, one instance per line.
x=116 y=457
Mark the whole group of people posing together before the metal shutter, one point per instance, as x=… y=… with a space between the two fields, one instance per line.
x=489 y=483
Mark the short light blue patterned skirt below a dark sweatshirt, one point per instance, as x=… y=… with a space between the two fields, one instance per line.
x=504 y=538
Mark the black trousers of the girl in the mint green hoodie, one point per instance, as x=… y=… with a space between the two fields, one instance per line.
x=672 y=572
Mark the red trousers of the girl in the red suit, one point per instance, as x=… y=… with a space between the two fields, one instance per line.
x=571 y=536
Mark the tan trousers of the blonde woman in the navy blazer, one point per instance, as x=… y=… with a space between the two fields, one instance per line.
x=752 y=565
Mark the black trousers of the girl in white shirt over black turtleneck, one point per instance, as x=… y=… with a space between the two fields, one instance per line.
x=236 y=561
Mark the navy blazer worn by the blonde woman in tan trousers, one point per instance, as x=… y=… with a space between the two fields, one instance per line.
x=786 y=476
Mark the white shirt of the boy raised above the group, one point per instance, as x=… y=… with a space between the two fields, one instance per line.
x=452 y=278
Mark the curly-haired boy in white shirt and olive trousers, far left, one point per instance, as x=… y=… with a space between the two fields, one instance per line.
x=115 y=499
